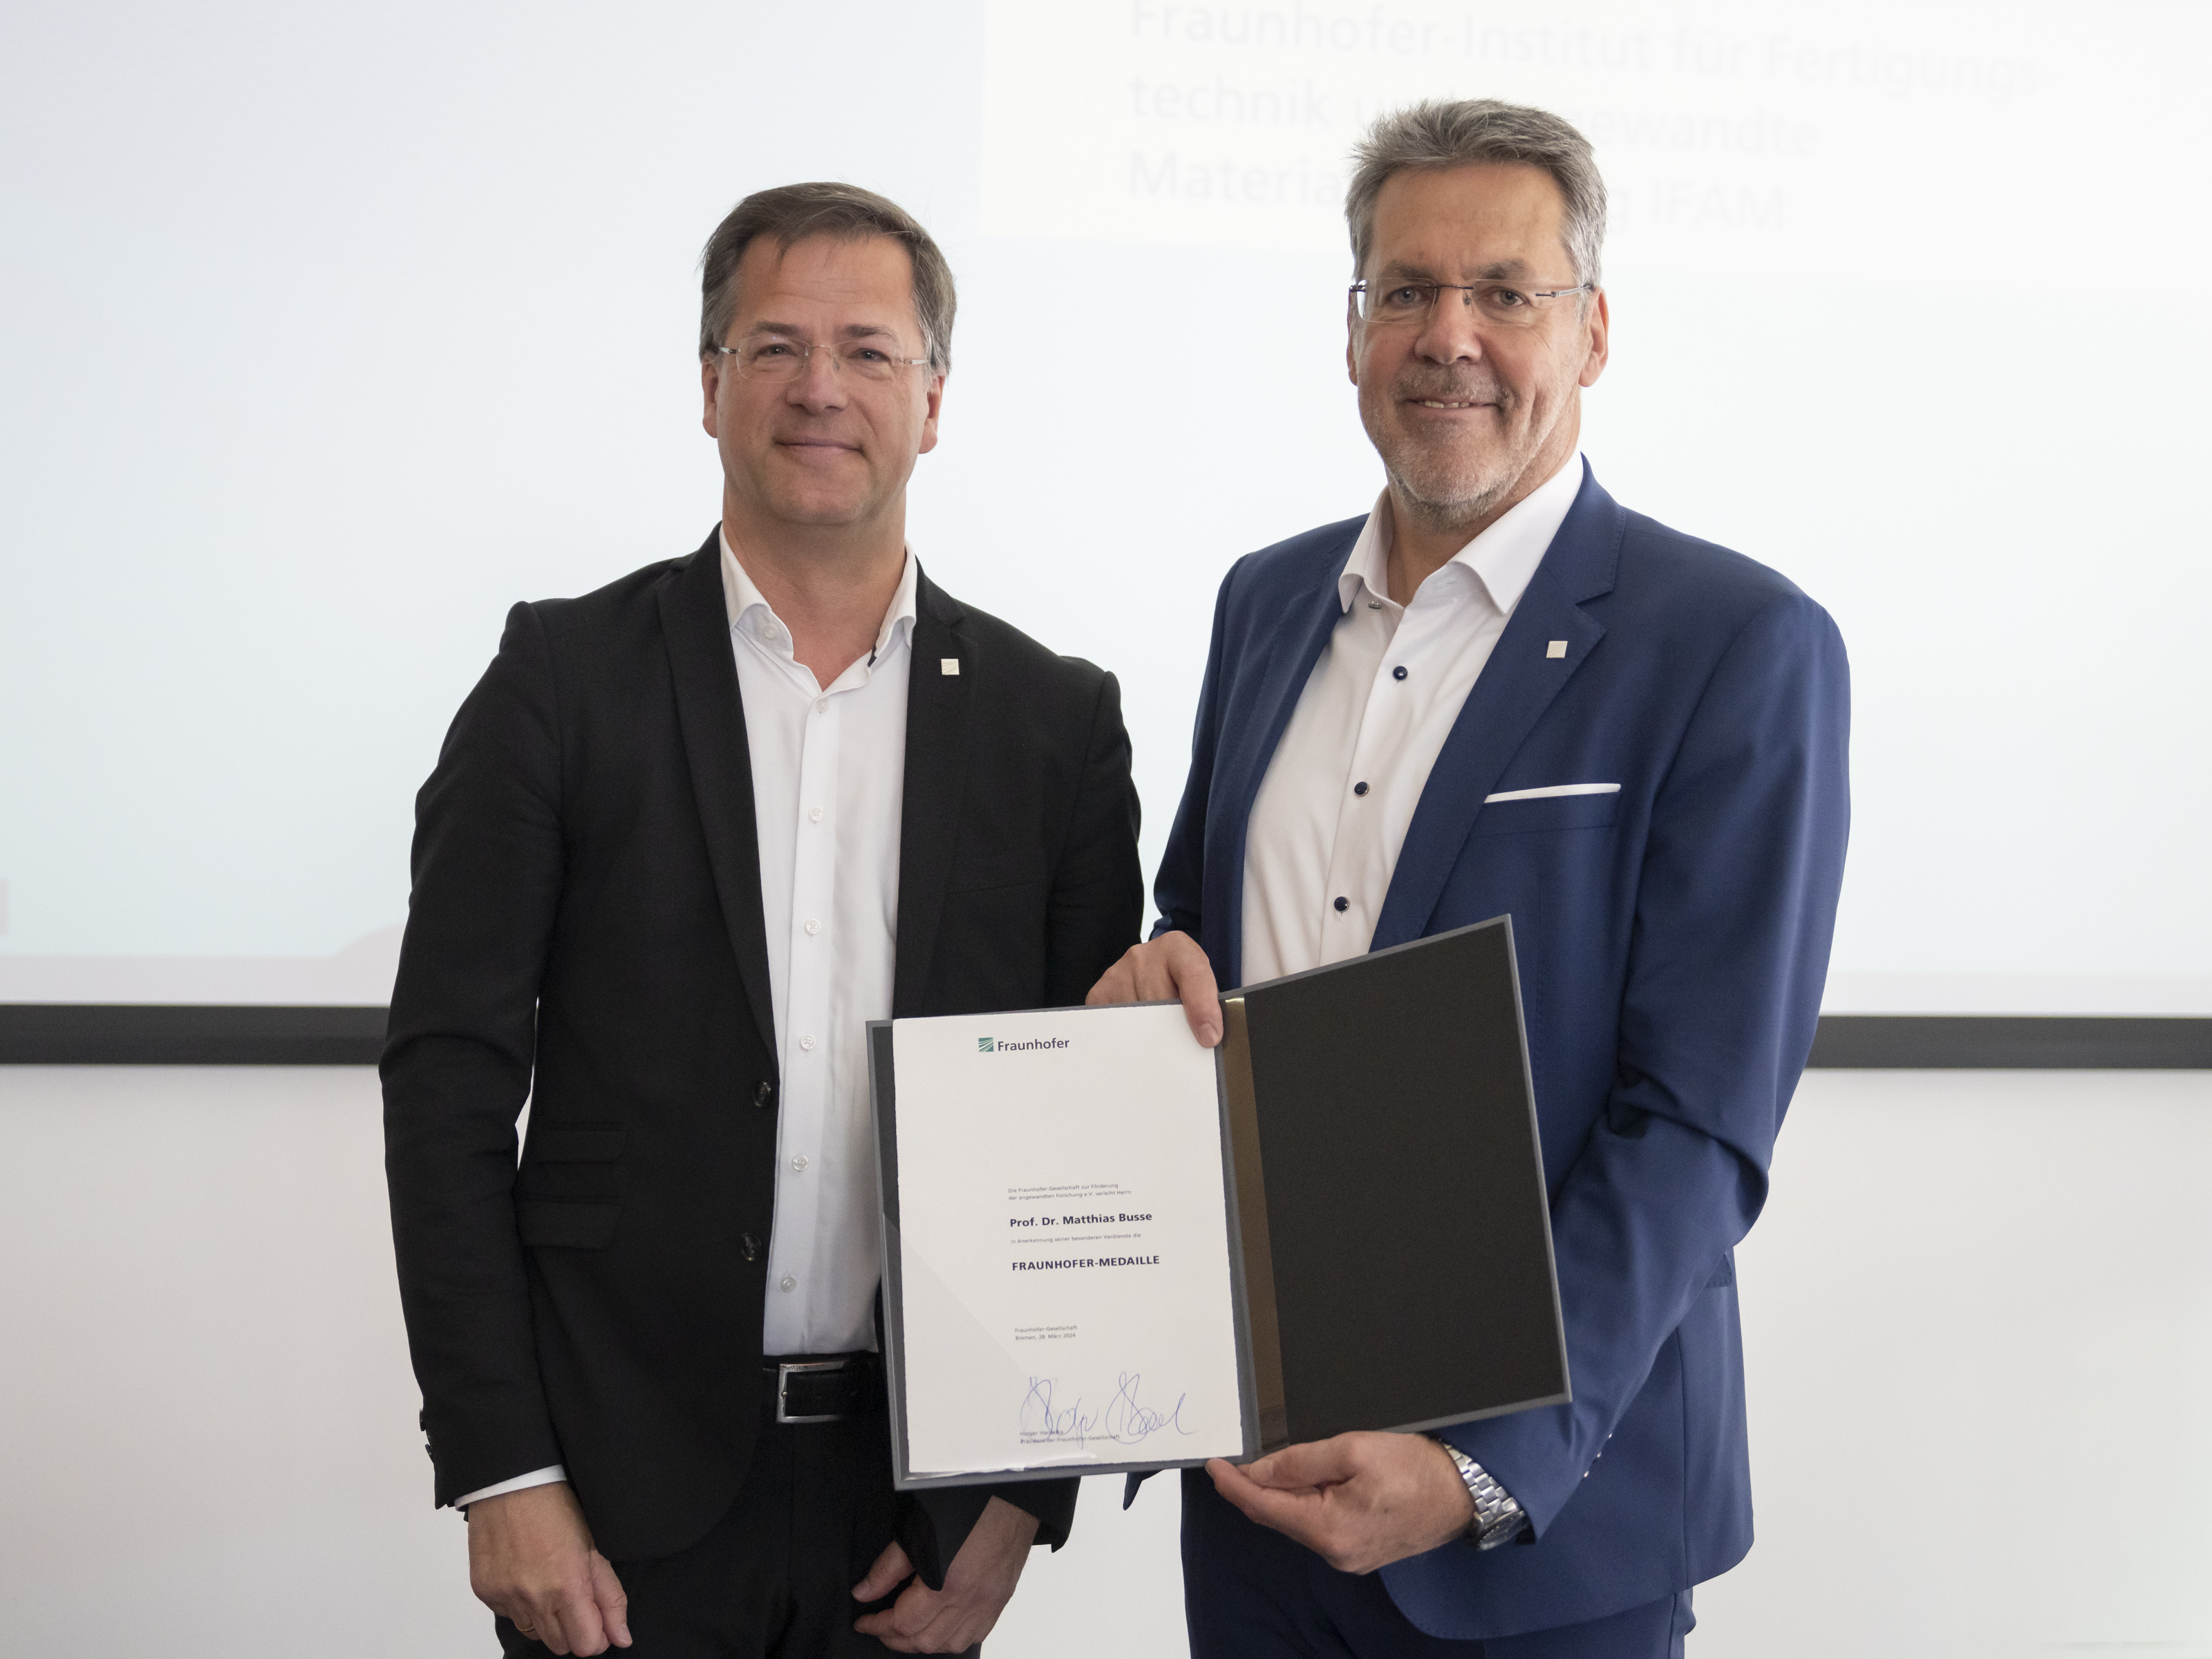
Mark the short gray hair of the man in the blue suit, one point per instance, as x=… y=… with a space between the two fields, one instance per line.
x=1450 y=134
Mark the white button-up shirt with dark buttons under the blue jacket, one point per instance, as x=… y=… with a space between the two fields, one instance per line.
x=1342 y=786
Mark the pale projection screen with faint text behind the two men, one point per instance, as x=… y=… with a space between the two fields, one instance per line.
x=335 y=331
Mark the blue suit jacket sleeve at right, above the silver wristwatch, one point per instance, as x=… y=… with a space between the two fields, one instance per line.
x=1729 y=954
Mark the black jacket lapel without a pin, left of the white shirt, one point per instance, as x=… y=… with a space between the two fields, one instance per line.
x=696 y=623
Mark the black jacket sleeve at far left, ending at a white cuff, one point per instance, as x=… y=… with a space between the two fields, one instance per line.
x=457 y=1067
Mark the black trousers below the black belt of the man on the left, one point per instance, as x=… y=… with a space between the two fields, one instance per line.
x=775 y=1576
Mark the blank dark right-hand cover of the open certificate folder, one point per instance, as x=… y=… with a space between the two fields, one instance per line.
x=1390 y=1193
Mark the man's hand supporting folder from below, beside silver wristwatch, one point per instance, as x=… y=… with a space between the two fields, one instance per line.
x=1359 y=1501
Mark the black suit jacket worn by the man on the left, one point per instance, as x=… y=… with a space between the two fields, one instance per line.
x=587 y=935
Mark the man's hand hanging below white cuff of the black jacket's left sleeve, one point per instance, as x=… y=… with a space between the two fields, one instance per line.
x=532 y=1563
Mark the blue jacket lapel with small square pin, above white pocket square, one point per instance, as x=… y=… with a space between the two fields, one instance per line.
x=1510 y=698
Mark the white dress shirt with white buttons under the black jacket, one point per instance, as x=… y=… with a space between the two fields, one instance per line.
x=828 y=778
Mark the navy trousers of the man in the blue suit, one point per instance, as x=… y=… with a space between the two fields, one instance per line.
x=1251 y=1594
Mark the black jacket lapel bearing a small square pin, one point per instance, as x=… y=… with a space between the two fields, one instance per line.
x=939 y=724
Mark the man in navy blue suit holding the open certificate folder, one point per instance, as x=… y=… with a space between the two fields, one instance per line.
x=1501 y=693
